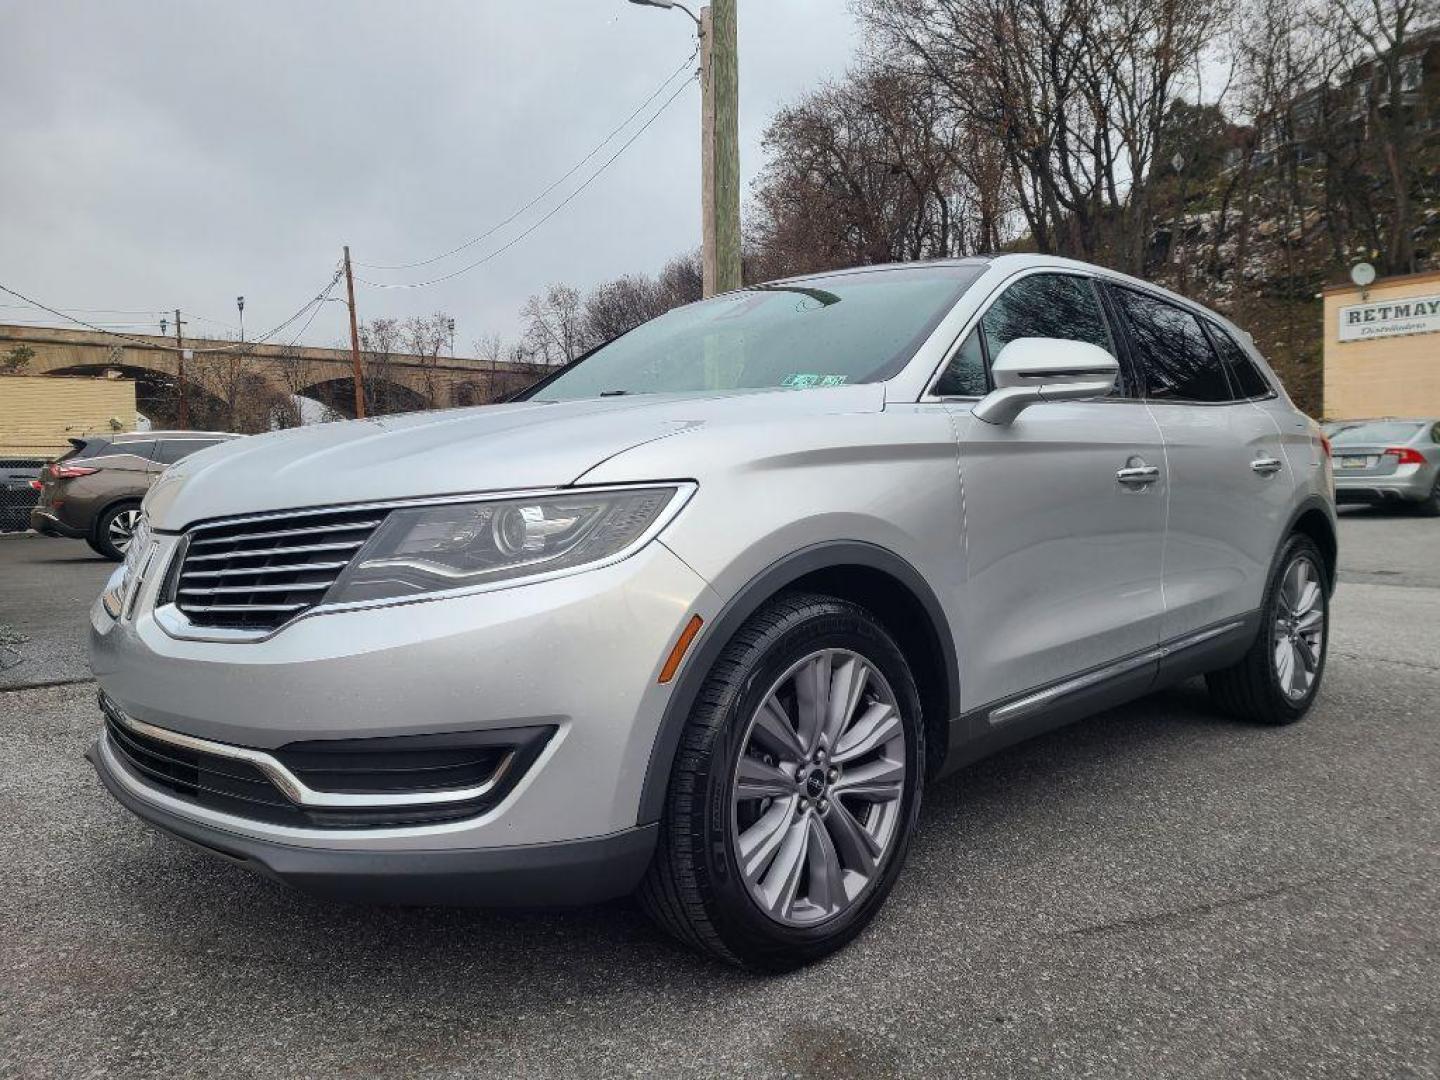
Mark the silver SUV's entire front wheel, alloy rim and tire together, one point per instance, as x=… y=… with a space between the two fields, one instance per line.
x=796 y=788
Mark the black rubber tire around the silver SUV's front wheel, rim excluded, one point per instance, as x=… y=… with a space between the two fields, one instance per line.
x=695 y=889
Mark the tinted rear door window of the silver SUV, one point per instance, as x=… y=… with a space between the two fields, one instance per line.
x=1174 y=354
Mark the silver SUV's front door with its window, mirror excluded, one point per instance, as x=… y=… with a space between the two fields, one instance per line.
x=1062 y=552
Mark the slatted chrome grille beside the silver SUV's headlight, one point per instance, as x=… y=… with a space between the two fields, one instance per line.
x=261 y=574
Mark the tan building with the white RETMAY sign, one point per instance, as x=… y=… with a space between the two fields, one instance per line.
x=1383 y=348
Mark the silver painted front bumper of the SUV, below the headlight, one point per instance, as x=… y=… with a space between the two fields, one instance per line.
x=580 y=654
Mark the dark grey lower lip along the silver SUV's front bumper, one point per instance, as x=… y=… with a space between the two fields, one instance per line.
x=536 y=875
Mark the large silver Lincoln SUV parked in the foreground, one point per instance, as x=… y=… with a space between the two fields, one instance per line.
x=703 y=616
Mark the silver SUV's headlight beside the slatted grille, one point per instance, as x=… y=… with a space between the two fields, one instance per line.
x=463 y=545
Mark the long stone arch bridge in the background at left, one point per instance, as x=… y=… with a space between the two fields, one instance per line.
x=227 y=385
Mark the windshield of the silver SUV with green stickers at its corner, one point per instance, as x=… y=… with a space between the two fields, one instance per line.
x=817 y=332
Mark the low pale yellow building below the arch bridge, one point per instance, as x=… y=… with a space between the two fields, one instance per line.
x=40 y=414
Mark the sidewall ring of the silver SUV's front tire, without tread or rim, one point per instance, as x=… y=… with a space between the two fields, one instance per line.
x=745 y=928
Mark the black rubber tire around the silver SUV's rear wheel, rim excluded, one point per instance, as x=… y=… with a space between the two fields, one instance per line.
x=1252 y=688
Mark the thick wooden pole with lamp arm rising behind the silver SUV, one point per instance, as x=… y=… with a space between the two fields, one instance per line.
x=719 y=142
